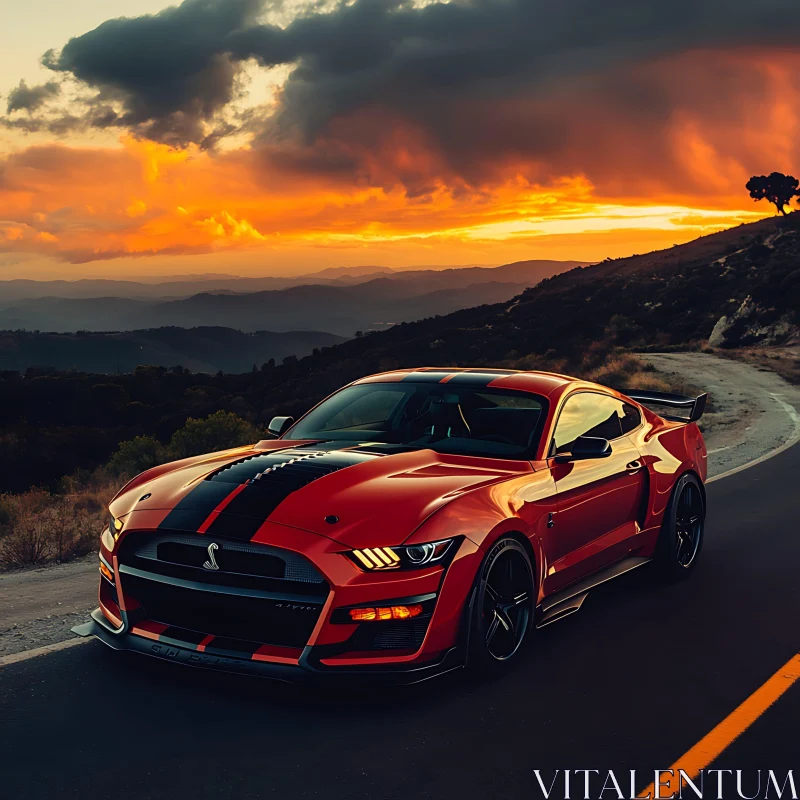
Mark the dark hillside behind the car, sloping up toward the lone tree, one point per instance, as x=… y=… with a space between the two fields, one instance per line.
x=742 y=285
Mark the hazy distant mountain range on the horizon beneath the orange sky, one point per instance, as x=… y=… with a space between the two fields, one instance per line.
x=351 y=300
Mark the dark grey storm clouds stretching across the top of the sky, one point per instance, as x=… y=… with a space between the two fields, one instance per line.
x=173 y=73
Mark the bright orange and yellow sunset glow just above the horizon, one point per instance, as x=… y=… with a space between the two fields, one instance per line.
x=144 y=198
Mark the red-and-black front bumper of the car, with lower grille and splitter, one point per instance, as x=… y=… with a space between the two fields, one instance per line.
x=138 y=612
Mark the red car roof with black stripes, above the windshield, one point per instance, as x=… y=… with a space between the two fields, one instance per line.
x=535 y=381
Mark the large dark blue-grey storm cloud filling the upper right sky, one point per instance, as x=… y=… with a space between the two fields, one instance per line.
x=410 y=59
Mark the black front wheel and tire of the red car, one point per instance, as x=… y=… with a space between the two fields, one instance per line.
x=502 y=611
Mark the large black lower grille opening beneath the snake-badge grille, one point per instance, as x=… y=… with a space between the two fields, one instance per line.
x=258 y=619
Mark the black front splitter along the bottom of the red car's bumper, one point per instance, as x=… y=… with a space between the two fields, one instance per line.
x=308 y=668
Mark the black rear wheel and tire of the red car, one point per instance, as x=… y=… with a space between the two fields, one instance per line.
x=681 y=538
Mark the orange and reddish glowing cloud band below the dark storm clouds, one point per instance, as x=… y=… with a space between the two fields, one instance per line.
x=578 y=174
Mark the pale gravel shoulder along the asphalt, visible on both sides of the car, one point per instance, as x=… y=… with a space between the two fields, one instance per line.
x=755 y=411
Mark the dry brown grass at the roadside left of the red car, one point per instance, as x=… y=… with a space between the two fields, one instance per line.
x=39 y=528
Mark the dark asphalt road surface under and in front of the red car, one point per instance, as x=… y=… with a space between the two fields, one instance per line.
x=632 y=681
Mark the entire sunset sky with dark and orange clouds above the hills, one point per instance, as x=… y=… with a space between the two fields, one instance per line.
x=261 y=137
